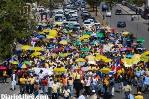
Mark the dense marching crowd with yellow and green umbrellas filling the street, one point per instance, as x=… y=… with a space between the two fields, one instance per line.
x=79 y=64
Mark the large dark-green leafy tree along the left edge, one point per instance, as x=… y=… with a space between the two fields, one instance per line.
x=13 y=25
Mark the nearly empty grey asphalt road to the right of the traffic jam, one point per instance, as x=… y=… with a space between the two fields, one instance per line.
x=138 y=27
